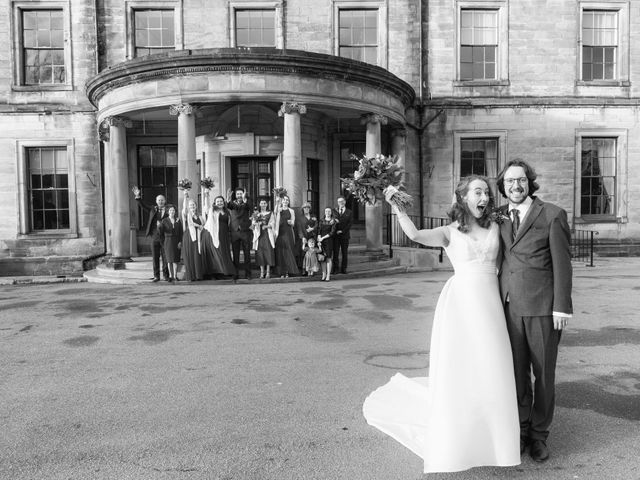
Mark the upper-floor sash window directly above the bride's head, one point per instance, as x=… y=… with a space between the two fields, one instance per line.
x=478 y=44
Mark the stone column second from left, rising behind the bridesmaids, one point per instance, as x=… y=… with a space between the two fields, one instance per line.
x=187 y=162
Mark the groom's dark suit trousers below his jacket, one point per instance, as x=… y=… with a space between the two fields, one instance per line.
x=534 y=345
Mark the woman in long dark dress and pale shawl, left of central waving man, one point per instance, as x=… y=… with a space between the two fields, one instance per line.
x=216 y=239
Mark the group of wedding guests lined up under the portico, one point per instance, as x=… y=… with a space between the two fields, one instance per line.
x=217 y=242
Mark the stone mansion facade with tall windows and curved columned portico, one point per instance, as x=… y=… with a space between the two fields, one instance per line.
x=98 y=96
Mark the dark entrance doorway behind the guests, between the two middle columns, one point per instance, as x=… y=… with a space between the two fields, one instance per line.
x=255 y=175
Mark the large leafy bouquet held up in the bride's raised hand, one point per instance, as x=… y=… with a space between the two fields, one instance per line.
x=373 y=175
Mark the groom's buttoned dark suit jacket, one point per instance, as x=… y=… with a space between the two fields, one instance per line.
x=535 y=273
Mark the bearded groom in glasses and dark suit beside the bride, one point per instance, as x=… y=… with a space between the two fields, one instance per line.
x=535 y=284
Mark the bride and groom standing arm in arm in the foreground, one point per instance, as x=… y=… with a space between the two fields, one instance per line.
x=490 y=390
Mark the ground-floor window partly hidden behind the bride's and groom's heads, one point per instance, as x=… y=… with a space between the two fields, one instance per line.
x=479 y=153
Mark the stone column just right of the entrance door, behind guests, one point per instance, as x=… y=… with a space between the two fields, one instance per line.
x=293 y=170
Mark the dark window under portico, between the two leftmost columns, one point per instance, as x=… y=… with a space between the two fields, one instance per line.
x=158 y=175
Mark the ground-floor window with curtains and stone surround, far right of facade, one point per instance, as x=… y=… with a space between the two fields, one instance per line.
x=601 y=176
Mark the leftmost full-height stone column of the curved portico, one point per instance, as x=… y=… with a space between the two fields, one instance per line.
x=118 y=193
